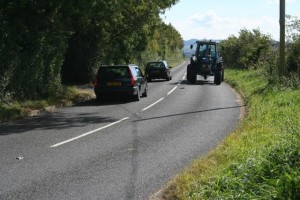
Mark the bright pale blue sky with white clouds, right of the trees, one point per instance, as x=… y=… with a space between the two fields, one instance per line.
x=219 y=19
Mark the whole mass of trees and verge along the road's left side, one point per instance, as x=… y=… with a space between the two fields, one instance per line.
x=47 y=45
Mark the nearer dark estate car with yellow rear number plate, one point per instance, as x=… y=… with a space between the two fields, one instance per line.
x=120 y=80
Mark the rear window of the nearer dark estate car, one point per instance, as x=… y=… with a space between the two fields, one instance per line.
x=112 y=73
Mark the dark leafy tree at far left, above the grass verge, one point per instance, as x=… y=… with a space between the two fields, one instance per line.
x=33 y=46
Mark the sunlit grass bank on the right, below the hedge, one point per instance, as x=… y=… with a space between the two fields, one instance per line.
x=260 y=159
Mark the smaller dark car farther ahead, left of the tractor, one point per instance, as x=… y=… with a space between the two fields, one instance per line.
x=158 y=70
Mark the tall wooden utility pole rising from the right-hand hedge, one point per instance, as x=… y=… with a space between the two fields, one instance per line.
x=281 y=67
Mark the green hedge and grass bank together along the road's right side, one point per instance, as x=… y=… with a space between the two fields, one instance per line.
x=261 y=158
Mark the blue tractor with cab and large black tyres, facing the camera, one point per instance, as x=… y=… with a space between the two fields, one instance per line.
x=206 y=61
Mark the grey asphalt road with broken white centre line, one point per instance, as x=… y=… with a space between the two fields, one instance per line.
x=119 y=149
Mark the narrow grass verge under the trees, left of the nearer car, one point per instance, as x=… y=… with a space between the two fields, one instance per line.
x=17 y=110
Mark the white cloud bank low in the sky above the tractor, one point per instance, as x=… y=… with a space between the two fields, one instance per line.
x=210 y=25
